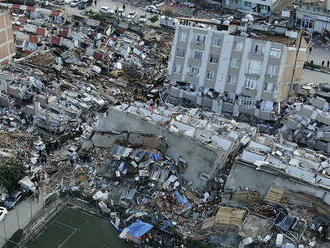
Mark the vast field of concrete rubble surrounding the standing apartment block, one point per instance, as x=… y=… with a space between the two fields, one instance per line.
x=82 y=108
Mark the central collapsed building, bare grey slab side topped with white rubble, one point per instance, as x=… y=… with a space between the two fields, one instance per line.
x=208 y=142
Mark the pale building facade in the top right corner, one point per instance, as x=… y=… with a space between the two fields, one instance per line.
x=313 y=16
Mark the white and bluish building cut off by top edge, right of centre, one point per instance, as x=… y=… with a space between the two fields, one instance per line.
x=257 y=7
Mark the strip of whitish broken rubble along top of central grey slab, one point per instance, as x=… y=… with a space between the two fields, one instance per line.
x=209 y=128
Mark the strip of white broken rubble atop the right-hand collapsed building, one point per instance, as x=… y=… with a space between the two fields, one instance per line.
x=287 y=158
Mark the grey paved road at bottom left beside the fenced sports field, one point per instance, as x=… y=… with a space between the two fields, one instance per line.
x=19 y=217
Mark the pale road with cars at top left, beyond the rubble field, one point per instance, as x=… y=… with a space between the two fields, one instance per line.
x=115 y=5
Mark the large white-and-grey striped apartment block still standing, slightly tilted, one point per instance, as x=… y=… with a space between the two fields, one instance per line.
x=226 y=72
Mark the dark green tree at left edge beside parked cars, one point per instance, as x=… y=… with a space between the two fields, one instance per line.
x=11 y=171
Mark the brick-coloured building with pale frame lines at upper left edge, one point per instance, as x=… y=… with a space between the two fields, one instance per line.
x=7 y=45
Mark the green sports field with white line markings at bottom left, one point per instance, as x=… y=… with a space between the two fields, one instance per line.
x=73 y=228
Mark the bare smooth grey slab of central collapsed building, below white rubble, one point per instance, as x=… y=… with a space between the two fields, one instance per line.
x=202 y=160
